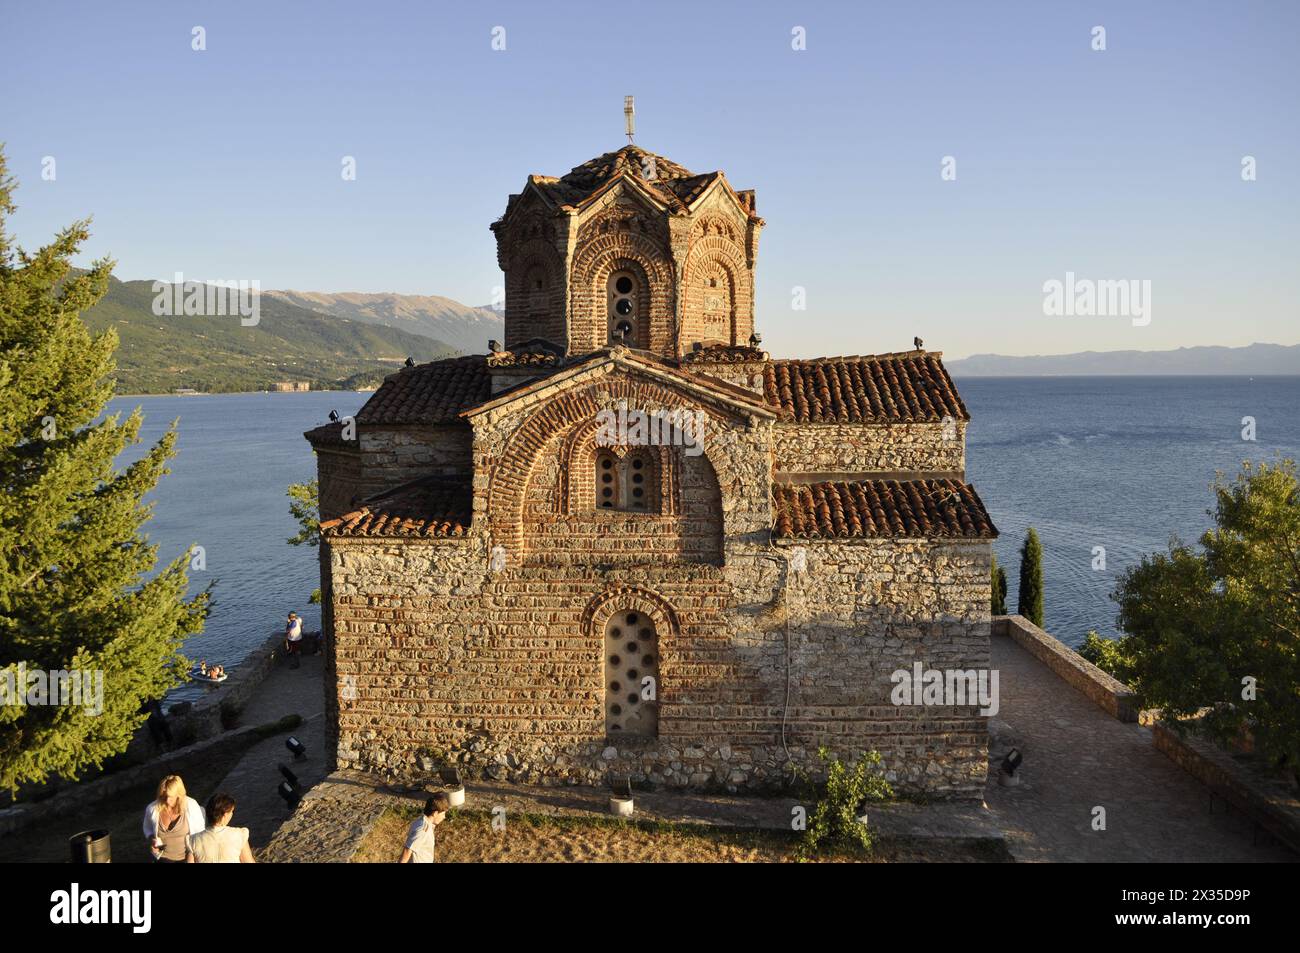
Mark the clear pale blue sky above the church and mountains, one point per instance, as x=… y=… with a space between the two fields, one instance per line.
x=1117 y=164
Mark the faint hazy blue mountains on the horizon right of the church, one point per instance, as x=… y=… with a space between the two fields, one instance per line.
x=1254 y=359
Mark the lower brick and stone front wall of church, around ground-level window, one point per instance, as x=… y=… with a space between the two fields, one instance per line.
x=504 y=673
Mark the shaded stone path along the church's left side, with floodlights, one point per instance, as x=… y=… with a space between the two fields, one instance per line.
x=255 y=779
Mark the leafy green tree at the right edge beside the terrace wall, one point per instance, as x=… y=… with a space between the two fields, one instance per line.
x=1220 y=629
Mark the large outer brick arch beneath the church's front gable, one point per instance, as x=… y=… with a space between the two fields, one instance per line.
x=519 y=457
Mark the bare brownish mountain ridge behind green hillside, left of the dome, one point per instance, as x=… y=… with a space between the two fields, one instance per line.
x=461 y=326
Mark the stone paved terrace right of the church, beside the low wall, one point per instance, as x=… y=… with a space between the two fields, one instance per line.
x=1076 y=759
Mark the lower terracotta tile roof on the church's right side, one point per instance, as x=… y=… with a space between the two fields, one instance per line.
x=876 y=509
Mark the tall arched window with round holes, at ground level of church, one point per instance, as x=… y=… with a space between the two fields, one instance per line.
x=631 y=675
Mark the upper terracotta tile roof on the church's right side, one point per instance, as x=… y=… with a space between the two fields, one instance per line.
x=907 y=387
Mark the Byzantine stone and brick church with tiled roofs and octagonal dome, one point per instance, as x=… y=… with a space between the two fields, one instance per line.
x=629 y=543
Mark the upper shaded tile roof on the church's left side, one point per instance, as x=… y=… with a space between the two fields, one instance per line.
x=432 y=393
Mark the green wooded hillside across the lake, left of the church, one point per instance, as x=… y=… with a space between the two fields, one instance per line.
x=158 y=356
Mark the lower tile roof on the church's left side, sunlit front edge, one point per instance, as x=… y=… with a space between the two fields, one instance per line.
x=432 y=508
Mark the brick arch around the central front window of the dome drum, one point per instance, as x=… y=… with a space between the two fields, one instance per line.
x=599 y=257
